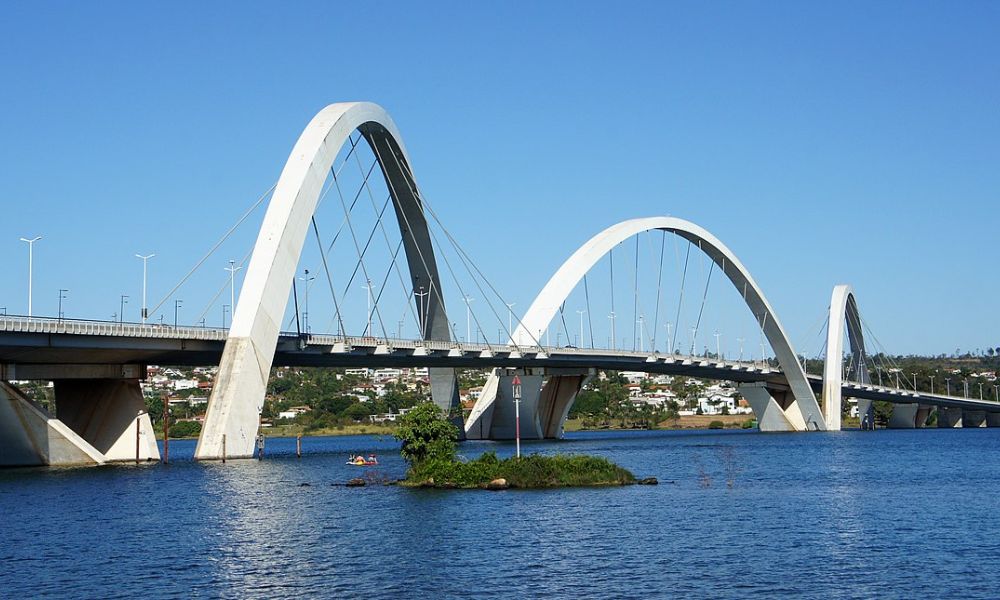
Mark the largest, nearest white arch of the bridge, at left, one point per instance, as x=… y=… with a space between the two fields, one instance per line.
x=233 y=411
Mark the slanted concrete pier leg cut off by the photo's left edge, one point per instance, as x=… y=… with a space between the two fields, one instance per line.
x=30 y=436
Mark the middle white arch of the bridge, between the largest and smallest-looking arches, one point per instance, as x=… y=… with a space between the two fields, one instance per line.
x=802 y=414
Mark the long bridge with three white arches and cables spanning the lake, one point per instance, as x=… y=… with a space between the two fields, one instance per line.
x=96 y=366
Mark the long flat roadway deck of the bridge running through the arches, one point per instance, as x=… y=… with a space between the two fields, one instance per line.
x=37 y=348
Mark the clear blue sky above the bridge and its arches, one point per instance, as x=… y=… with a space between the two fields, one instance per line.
x=843 y=143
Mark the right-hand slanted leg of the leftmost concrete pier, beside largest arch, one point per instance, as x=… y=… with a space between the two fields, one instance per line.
x=105 y=412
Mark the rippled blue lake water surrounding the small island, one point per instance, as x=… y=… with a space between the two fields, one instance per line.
x=888 y=514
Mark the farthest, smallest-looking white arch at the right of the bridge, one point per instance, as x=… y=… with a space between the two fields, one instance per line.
x=843 y=309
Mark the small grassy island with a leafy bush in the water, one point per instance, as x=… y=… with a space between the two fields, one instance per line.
x=430 y=442
